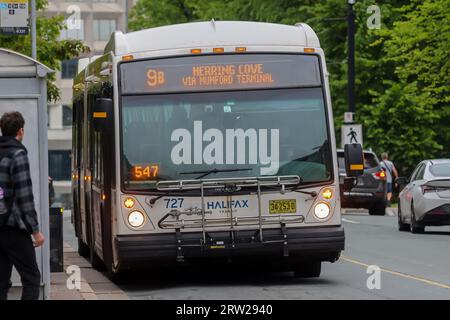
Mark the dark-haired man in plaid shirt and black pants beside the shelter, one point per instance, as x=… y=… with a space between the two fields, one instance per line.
x=18 y=218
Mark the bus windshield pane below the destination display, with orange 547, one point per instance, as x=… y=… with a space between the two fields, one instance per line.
x=260 y=132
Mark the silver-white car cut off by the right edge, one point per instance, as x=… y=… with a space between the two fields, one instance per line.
x=425 y=200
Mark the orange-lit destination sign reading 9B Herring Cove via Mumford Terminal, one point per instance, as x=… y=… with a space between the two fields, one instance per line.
x=222 y=72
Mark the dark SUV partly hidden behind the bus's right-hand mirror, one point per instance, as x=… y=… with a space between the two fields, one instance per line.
x=370 y=189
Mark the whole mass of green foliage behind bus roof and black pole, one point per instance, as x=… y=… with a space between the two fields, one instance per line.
x=403 y=74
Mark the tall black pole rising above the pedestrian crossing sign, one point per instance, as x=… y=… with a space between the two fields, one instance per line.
x=351 y=58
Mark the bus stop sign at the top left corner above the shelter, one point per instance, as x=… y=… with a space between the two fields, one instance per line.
x=14 y=17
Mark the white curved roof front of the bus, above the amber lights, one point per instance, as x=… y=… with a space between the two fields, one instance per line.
x=212 y=33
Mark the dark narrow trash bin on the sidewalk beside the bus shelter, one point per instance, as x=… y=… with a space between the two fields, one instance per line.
x=56 y=239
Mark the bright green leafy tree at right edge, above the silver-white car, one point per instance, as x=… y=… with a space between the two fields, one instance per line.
x=410 y=112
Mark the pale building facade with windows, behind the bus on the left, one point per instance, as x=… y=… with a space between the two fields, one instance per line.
x=91 y=21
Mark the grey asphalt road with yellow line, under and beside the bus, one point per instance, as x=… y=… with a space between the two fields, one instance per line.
x=413 y=266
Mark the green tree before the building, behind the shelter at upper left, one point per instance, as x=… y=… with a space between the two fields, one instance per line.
x=50 y=50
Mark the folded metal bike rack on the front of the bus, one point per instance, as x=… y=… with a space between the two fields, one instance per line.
x=179 y=223
